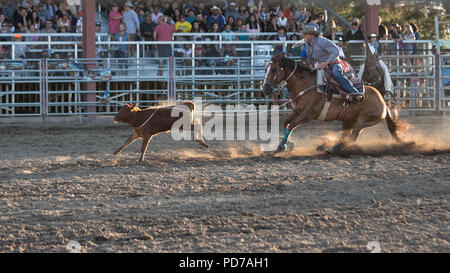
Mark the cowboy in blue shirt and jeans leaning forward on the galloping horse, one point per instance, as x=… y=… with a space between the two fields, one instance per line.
x=323 y=53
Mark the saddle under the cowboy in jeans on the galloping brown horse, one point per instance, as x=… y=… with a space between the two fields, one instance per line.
x=333 y=87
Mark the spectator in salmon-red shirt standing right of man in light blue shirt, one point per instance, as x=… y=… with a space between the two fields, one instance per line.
x=163 y=32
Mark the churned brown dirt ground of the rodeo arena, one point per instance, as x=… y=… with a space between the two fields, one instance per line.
x=59 y=183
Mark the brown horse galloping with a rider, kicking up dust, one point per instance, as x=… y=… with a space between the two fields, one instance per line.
x=310 y=103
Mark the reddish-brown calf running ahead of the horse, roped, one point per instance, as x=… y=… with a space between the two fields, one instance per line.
x=152 y=121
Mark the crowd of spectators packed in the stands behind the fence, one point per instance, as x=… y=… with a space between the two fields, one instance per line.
x=156 y=20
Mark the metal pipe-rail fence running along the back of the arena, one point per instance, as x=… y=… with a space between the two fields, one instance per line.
x=222 y=72
